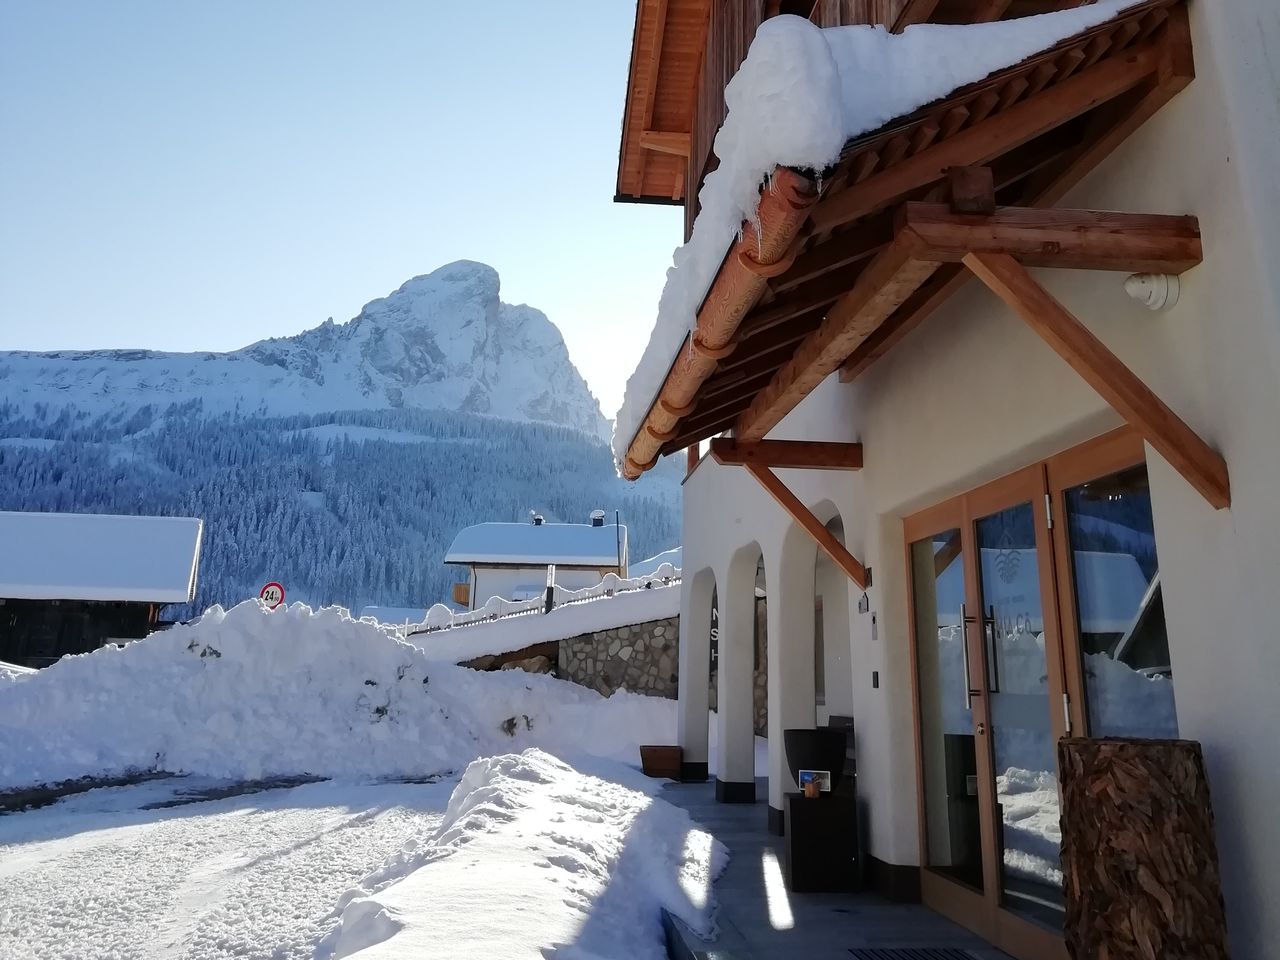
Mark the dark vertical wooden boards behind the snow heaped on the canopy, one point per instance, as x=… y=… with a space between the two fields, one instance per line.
x=729 y=36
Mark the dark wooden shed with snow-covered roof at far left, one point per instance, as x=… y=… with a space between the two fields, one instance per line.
x=71 y=583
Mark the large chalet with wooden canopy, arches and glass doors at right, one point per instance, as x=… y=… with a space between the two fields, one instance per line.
x=998 y=341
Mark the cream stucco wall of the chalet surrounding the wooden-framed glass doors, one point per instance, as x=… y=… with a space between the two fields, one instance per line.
x=973 y=395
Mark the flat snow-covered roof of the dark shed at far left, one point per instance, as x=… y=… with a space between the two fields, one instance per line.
x=99 y=557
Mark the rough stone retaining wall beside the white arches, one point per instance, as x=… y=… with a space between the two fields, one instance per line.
x=643 y=659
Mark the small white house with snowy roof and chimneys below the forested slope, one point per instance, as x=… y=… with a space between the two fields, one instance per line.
x=511 y=560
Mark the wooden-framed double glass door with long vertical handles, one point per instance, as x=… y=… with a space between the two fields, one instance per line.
x=990 y=687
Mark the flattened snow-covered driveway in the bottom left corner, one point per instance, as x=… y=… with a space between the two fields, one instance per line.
x=255 y=876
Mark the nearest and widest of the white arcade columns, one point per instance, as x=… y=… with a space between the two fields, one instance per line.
x=790 y=588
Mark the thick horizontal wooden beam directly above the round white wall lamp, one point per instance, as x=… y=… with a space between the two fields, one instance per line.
x=1080 y=240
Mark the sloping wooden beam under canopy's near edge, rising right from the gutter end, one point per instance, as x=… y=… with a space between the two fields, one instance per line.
x=985 y=141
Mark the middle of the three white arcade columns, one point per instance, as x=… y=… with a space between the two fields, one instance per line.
x=735 y=762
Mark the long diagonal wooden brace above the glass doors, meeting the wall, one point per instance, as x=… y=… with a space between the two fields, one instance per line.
x=1160 y=427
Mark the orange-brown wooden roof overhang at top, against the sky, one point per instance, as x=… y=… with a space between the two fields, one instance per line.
x=657 y=125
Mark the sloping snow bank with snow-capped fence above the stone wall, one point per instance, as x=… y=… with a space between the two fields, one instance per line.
x=502 y=627
